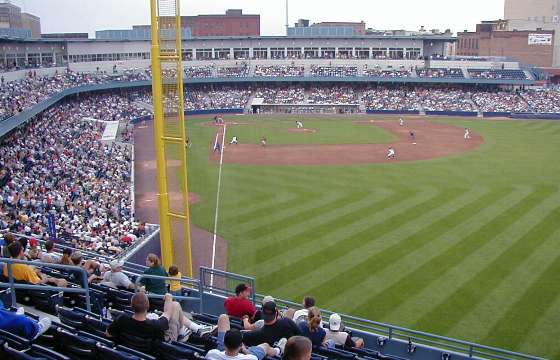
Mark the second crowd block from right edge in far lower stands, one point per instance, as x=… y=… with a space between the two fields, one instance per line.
x=499 y=101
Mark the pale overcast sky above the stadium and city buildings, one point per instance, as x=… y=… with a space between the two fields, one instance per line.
x=91 y=15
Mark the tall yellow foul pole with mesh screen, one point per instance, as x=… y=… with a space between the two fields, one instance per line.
x=170 y=134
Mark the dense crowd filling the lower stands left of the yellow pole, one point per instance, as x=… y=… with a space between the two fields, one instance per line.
x=56 y=166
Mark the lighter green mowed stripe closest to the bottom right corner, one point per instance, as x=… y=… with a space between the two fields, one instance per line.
x=507 y=293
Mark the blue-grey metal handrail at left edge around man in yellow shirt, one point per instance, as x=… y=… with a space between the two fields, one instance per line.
x=12 y=285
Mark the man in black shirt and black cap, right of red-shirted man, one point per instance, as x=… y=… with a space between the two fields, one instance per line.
x=274 y=328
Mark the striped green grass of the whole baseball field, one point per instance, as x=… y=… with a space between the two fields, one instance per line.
x=466 y=246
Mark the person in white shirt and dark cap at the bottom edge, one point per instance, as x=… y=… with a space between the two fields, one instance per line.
x=230 y=345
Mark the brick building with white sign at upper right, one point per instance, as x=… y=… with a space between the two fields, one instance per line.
x=493 y=38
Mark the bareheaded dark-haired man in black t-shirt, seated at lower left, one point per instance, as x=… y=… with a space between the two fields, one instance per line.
x=137 y=331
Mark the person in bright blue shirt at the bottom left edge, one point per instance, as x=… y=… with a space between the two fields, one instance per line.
x=19 y=324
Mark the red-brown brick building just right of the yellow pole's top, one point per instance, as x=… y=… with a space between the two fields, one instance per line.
x=233 y=23
